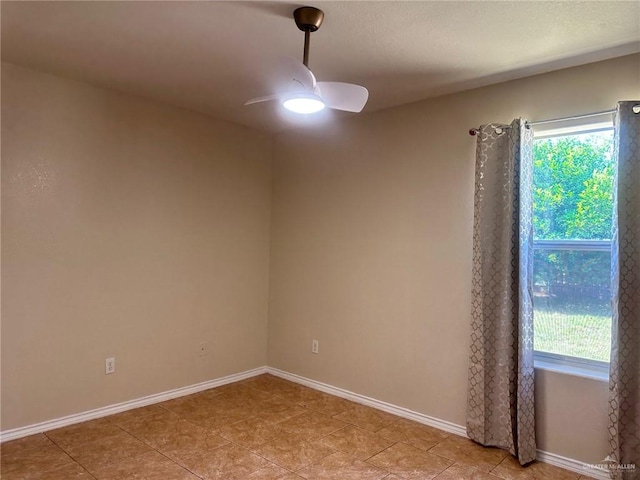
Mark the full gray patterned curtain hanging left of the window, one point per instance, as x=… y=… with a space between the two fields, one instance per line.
x=500 y=404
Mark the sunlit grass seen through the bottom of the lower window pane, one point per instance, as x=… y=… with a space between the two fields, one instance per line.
x=577 y=334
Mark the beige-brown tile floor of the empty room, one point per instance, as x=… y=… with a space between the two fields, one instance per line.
x=263 y=428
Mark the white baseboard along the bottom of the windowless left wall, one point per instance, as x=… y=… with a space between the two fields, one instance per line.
x=20 y=432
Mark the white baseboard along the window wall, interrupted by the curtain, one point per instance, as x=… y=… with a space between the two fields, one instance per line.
x=546 y=457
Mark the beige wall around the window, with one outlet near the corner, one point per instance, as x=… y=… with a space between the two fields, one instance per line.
x=371 y=250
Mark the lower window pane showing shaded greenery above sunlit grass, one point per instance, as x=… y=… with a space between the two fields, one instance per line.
x=572 y=308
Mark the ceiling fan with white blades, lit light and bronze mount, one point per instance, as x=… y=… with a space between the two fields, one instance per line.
x=304 y=94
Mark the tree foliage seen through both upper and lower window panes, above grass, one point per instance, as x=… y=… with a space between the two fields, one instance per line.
x=573 y=200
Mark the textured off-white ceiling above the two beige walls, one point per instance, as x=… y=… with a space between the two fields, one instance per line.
x=212 y=56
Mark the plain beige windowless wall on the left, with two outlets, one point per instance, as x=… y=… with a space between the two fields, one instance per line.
x=129 y=229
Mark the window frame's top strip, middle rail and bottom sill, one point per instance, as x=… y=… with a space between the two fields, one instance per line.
x=581 y=367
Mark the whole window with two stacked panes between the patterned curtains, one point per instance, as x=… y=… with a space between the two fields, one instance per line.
x=572 y=215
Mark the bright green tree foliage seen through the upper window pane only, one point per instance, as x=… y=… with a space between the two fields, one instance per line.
x=573 y=178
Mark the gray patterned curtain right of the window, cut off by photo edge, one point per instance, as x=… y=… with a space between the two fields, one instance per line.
x=624 y=377
